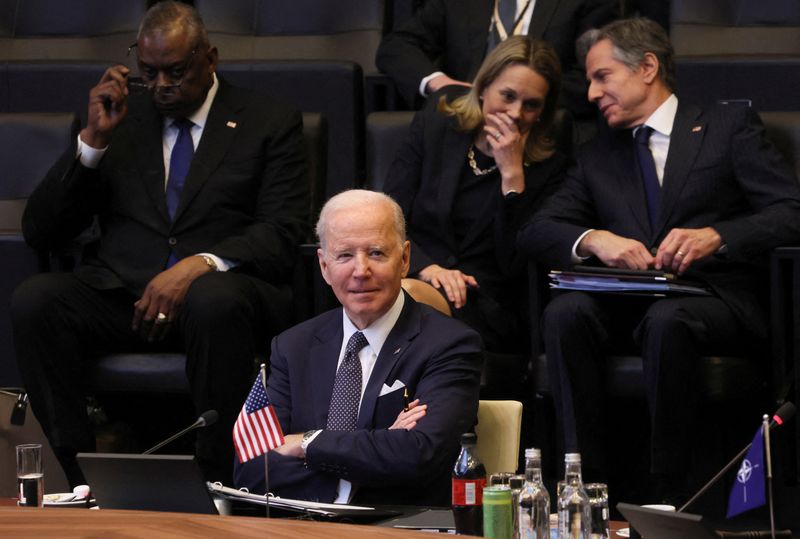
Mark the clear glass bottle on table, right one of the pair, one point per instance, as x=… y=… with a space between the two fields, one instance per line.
x=574 y=511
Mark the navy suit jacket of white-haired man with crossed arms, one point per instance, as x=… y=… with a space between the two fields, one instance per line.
x=436 y=357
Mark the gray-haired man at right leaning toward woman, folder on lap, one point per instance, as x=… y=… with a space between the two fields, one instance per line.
x=707 y=196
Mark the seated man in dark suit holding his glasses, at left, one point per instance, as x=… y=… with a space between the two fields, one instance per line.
x=200 y=197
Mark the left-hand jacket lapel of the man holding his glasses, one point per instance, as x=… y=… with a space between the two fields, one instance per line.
x=146 y=140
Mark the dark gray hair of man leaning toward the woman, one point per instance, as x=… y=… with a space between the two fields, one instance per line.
x=631 y=40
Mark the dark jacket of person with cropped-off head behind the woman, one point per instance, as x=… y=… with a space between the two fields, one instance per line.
x=451 y=36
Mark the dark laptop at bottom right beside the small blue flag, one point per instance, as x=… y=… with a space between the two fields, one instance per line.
x=657 y=524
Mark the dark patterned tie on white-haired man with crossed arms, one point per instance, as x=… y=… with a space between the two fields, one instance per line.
x=346 y=398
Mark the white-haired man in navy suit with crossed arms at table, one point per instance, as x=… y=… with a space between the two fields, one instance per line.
x=414 y=390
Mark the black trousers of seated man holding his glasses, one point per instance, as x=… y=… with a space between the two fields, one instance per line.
x=61 y=325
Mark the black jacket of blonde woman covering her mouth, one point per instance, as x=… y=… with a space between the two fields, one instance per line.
x=424 y=179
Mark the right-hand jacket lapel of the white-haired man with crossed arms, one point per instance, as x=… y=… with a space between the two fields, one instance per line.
x=395 y=347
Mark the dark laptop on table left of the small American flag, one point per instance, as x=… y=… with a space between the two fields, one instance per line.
x=147 y=482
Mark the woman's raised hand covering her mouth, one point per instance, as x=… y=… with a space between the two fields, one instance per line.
x=508 y=148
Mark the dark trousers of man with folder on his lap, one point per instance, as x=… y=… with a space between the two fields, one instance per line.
x=671 y=334
